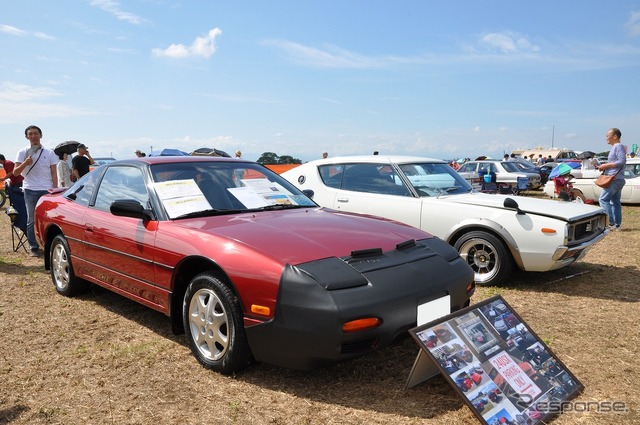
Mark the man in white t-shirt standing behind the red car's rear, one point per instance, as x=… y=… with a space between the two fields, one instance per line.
x=38 y=167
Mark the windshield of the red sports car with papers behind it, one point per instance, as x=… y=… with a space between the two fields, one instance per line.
x=208 y=188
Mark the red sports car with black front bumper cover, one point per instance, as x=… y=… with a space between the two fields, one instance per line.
x=243 y=262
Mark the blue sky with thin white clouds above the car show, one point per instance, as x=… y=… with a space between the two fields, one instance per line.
x=430 y=78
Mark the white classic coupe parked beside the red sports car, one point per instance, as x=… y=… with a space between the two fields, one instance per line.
x=491 y=232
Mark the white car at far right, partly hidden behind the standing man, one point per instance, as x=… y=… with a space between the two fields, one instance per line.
x=584 y=180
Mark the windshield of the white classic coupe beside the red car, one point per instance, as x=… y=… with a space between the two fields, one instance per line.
x=434 y=179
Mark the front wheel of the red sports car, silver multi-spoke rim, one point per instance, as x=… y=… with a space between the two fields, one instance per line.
x=213 y=322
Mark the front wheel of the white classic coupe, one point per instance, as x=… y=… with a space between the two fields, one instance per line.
x=487 y=255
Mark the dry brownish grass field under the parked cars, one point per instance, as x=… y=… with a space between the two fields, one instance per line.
x=101 y=359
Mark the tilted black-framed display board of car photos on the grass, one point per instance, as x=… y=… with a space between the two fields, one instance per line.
x=498 y=365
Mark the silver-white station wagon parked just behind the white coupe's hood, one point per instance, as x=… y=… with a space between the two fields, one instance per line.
x=505 y=172
